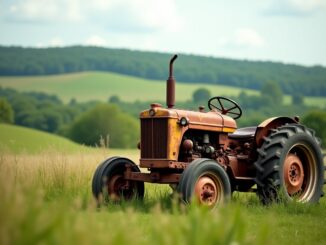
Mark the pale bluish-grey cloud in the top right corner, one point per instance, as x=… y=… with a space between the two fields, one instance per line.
x=294 y=7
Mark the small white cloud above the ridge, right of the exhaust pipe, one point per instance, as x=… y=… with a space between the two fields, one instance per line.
x=248 y=37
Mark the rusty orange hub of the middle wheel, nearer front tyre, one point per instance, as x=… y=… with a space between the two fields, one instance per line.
x=206 y=191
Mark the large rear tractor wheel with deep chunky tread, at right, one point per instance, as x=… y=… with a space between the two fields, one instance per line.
x=290 y=166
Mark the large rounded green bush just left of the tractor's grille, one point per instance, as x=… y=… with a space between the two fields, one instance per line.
x=105 y=121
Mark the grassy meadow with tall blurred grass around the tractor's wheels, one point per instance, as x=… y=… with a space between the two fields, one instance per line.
x=46 y=199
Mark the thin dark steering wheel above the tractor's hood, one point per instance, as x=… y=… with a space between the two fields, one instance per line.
x=225 y=106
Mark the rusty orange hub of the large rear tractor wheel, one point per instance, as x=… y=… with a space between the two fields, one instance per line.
x=293 y=173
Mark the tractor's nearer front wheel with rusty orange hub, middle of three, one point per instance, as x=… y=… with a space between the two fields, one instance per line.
x=205 y=181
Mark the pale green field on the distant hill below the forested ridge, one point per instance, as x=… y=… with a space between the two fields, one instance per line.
x=87 y=86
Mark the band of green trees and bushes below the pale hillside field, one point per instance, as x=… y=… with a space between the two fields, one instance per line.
x=115 y=122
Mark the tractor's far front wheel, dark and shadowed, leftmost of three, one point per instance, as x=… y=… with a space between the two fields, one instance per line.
x=109 y=183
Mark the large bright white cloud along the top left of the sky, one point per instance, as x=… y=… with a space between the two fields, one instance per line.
x=117 y=15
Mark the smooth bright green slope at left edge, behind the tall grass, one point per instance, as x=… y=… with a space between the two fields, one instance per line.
x=20 y=139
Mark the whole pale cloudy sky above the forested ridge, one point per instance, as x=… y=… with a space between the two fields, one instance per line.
x=289 y=31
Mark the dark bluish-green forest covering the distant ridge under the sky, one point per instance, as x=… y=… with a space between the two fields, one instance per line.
x=292 y=79
